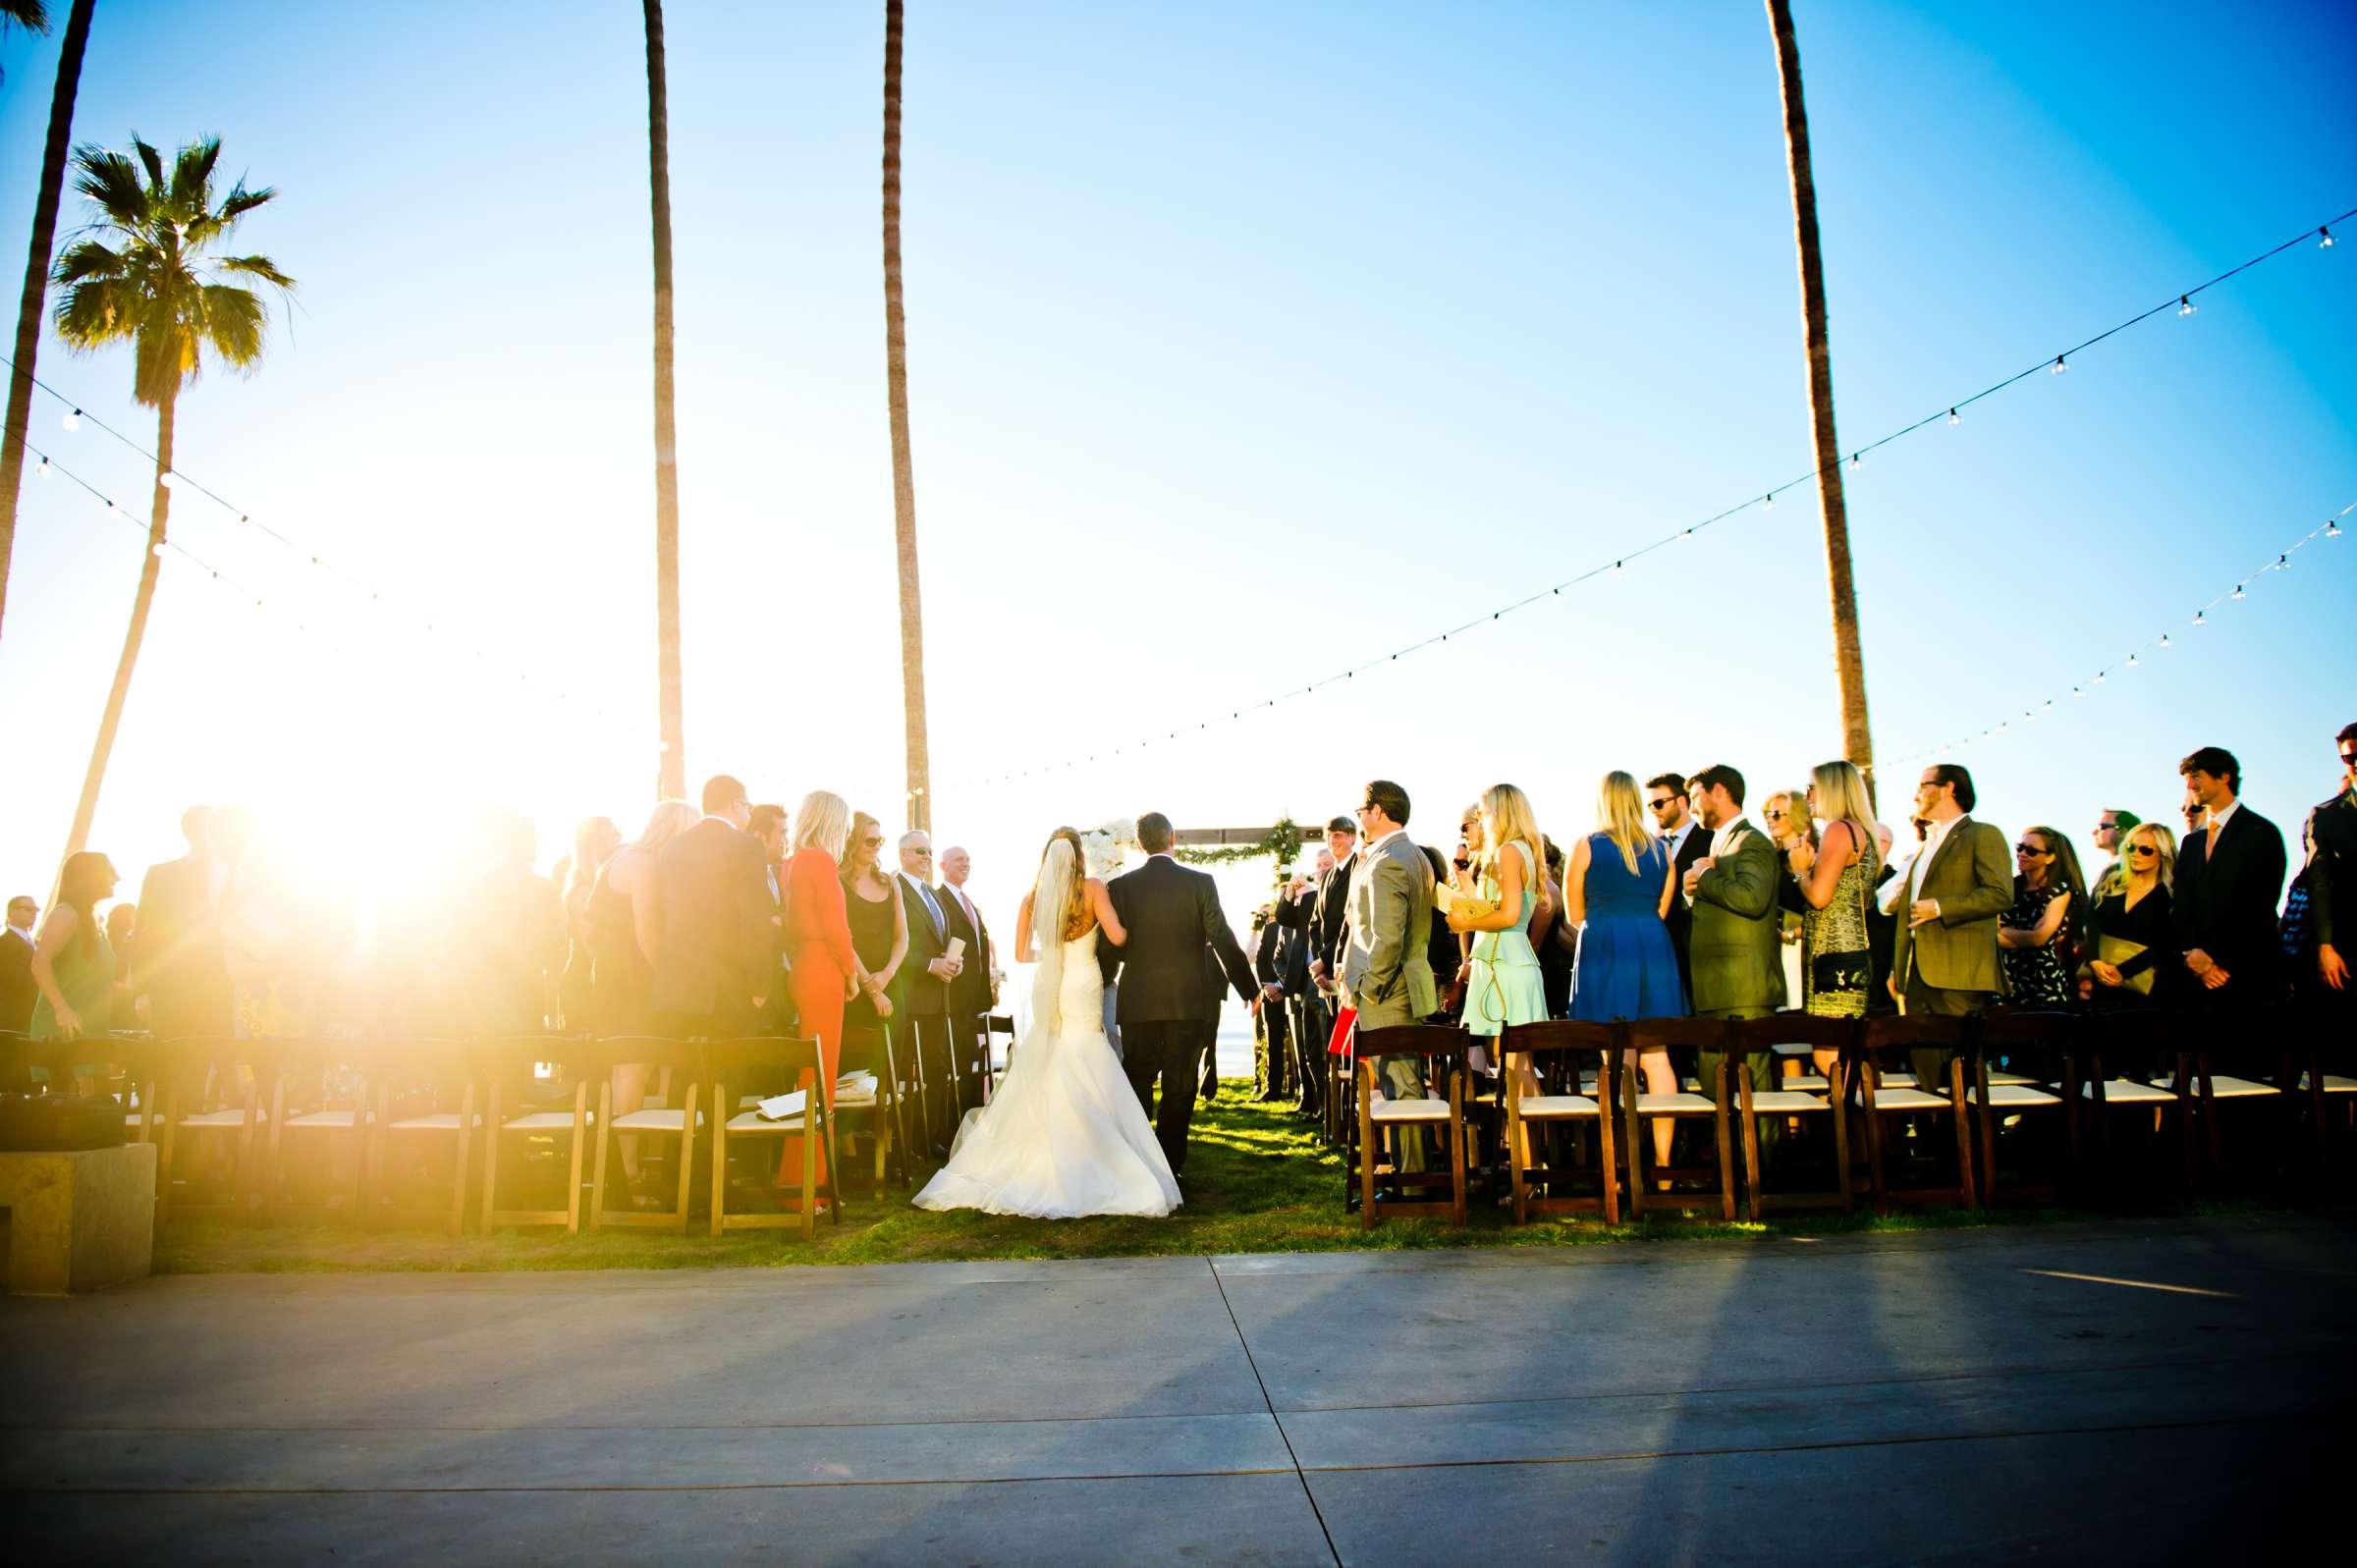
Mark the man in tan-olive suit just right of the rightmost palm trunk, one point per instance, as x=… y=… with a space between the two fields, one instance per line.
x=1960 y=883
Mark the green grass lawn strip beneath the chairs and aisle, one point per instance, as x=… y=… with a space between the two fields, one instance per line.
x=1257 y=1182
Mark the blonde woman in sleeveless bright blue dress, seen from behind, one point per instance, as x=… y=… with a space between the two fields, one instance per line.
x=1618 y=892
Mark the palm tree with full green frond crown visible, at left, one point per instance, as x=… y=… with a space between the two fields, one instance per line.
x=150 y=275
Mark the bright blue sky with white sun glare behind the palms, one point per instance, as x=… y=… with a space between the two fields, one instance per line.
x=1246 y=343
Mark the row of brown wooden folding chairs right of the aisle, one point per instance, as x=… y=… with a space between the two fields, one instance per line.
x=2042 y=1072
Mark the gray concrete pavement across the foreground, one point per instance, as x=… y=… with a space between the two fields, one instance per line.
x=1936 y=1397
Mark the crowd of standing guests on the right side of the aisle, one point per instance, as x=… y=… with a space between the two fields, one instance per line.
x=1679 y=904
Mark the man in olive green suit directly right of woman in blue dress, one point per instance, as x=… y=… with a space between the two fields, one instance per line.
x=1736 y=944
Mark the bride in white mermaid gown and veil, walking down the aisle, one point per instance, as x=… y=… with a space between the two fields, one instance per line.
x=1064 y=1135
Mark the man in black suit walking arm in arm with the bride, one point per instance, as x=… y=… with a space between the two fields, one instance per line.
x=1168 y=914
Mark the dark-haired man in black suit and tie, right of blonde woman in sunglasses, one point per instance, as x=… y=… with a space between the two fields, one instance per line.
x=2231 y=878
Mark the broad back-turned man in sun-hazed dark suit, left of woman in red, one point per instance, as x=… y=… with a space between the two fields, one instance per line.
x=715 y=951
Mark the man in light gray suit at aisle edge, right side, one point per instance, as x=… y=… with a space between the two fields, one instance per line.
x=1385 y=968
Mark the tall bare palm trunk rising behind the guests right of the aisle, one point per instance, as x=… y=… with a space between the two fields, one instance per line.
x=1849 y=661
